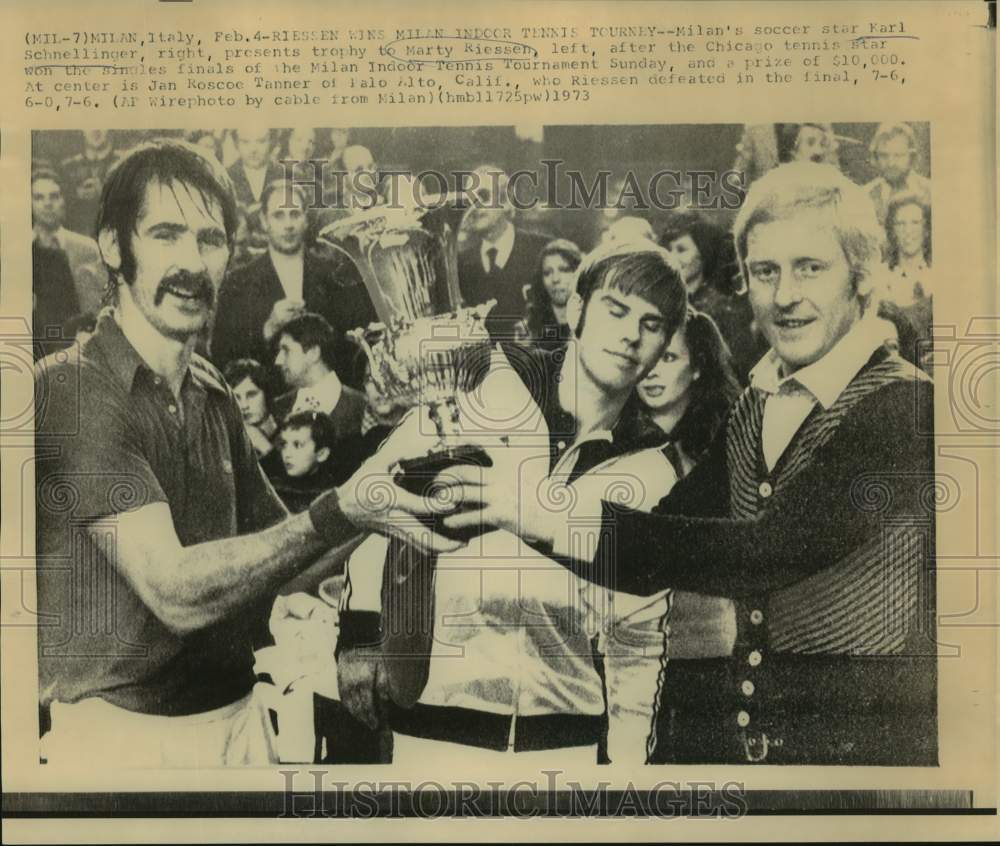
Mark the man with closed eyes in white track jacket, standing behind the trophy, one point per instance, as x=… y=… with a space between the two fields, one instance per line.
x=510 y=661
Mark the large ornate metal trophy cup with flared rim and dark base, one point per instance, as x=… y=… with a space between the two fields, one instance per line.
x=427 y=346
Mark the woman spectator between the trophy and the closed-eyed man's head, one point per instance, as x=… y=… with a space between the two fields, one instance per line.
x=550 y=292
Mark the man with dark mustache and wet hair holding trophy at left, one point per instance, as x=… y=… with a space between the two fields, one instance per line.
x=160 y=543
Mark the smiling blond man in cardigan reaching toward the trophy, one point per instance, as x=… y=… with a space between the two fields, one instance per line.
x=811 y=517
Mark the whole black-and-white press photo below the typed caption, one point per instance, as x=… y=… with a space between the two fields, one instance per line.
x=537 y=445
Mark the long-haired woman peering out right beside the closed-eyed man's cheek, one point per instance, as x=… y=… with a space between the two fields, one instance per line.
x=690 y=391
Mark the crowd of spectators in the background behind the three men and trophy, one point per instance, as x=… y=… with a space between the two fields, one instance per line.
x=288 y=300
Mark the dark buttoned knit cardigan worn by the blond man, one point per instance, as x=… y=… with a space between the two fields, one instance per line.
x=829 y=558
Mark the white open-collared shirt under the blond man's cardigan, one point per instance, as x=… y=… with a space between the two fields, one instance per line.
x=790 y=399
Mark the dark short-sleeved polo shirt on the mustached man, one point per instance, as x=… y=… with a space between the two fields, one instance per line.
x=111 y=438
